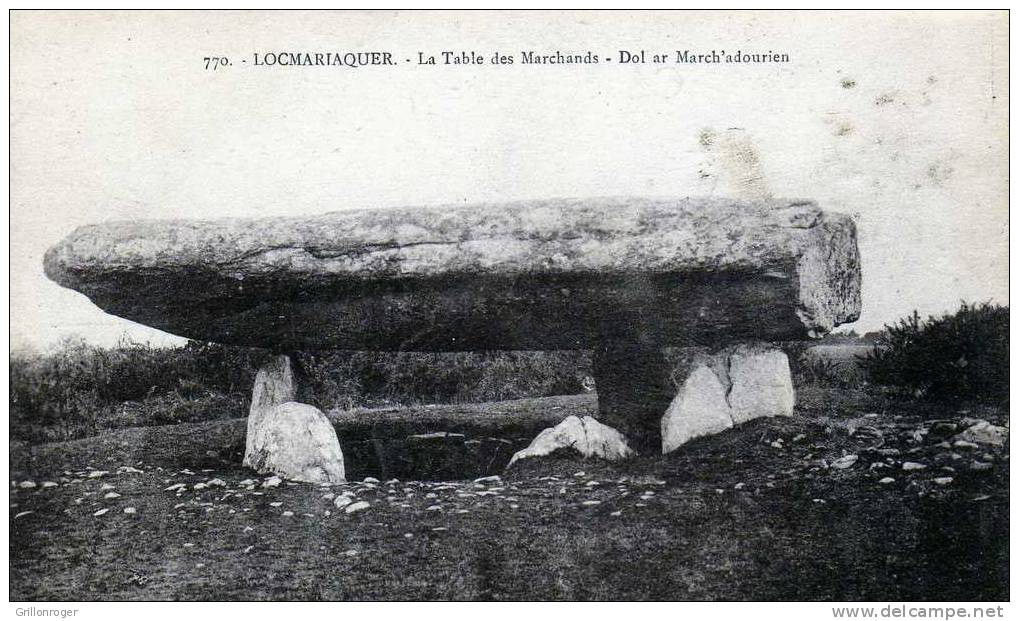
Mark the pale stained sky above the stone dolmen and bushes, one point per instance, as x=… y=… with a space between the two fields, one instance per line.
x=899 y=120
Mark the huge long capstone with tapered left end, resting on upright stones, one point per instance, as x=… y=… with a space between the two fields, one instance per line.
x=537 y=276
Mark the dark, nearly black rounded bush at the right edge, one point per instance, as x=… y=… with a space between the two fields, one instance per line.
x=954 y=357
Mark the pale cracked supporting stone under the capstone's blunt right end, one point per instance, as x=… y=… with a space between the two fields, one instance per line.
x=716 y=392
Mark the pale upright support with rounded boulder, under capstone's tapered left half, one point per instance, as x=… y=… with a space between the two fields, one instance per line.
x=293 y=440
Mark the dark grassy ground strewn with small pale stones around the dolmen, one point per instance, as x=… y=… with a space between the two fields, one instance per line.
x=756 y=513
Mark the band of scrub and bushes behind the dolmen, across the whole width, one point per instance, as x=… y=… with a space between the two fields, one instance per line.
x=80 y=390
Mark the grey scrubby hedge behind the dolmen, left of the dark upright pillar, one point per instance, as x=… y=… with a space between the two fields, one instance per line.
x=80 y=390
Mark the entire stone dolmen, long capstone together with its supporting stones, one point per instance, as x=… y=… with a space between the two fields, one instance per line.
x=629 y=279
